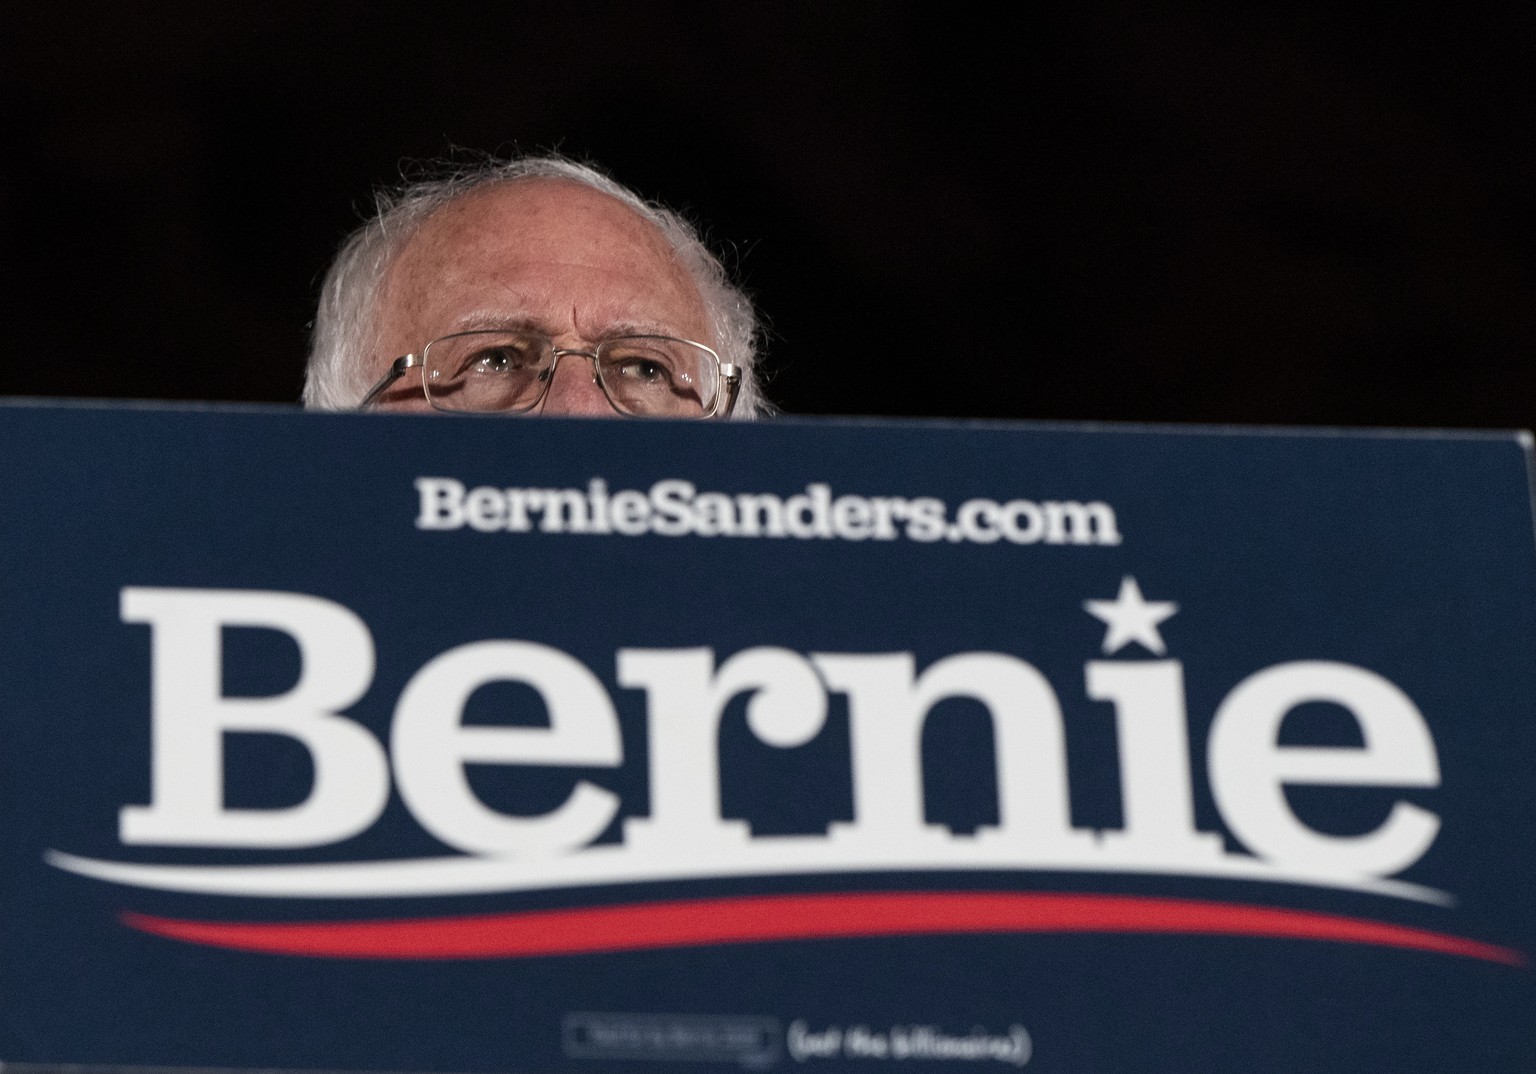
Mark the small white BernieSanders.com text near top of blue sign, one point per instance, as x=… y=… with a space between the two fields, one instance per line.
x=675 y=508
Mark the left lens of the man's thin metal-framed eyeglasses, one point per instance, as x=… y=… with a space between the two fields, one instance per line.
x=488 y=371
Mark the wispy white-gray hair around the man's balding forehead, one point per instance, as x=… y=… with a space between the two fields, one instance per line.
x=340 y=353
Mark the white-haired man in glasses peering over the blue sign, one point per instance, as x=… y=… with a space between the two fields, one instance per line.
x=532 y=287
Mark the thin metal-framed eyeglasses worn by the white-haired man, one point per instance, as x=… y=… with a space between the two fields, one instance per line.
x=511 y=371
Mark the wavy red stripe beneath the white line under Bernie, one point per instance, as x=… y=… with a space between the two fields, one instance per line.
x=761 y=920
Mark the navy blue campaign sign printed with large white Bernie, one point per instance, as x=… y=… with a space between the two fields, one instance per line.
x=376 y=743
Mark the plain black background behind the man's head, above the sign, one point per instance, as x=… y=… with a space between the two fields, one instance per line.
x=1180 y=213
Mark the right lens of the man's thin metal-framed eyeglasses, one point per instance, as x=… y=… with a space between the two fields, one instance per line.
x=654 y=376
